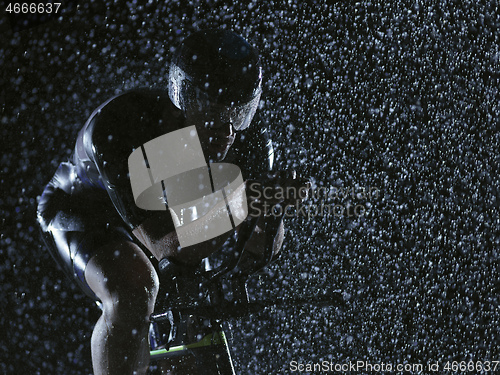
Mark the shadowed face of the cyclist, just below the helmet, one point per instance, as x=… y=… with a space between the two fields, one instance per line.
x=215 y=130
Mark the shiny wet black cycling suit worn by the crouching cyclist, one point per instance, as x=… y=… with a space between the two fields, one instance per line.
x=89 y=201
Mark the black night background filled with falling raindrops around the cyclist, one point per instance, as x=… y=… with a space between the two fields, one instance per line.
x=400 y=96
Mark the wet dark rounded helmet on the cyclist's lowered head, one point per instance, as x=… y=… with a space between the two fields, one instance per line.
x=217 y=67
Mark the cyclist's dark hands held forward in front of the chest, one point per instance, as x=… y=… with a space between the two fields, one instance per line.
x=282 y=187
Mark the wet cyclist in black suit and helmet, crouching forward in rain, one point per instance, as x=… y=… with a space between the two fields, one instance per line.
x=88 y=214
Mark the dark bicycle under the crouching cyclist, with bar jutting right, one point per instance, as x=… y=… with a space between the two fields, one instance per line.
x=189 y=323
